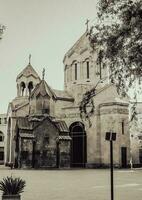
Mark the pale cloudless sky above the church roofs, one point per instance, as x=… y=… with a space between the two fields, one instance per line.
x=46 y=29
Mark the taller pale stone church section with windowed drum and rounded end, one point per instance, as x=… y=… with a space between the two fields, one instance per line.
x=111 y=112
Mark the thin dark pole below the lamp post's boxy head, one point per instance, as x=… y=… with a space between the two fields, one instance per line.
x=111 y=169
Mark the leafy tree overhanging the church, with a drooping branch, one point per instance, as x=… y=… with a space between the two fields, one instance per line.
x=118 y=34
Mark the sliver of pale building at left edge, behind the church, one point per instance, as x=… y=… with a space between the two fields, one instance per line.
x=3 y=131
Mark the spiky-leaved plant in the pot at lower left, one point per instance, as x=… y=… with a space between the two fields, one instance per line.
x=10 y=185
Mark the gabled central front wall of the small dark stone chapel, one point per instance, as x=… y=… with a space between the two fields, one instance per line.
x=46 y=144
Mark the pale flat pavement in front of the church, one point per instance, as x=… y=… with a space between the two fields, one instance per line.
x=93 y=184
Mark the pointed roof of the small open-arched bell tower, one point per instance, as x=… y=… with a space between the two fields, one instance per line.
x=28 y=71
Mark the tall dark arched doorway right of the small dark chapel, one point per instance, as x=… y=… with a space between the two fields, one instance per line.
x=78 y=145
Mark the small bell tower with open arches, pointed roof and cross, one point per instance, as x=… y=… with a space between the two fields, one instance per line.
x=27 y=80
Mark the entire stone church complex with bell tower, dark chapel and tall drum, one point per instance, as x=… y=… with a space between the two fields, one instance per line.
x=44 y=125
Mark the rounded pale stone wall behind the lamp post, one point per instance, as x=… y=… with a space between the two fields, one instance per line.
x=111 y=117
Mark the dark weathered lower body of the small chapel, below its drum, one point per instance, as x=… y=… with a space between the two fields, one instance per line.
x=38 y=143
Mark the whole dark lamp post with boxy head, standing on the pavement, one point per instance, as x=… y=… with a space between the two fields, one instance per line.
x=110 y=136
